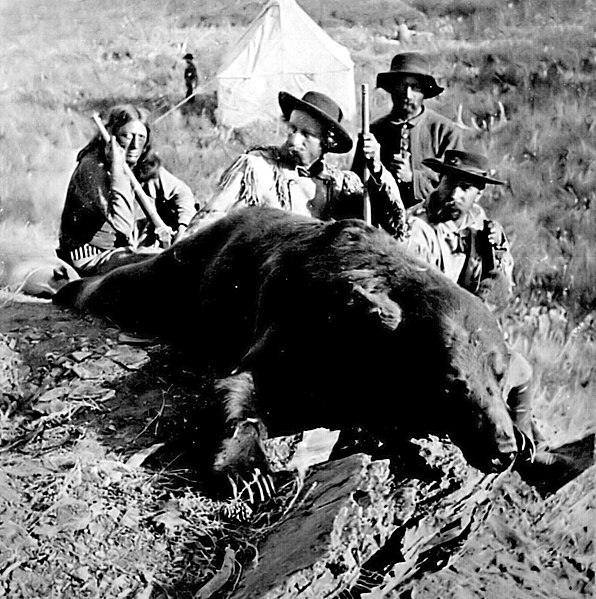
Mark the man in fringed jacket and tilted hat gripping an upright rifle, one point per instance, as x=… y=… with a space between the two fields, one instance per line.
x=296 y=177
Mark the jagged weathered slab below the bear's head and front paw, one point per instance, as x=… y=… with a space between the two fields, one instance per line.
x=362 y=528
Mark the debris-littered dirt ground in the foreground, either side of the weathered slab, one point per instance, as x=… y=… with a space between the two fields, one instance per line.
x=97 y=498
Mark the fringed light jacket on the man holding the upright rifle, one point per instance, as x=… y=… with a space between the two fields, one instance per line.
x=262 y=177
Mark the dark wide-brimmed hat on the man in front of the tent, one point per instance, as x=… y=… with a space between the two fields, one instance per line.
x=324 y=110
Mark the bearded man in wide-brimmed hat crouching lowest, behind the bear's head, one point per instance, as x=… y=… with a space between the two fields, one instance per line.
x=454 y=234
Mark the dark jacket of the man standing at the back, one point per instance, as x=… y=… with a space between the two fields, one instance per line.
x=430 y=135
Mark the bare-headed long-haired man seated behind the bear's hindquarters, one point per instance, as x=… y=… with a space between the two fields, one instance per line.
x=102 y=225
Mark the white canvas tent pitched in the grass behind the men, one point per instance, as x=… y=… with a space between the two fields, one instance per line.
x=282 y=49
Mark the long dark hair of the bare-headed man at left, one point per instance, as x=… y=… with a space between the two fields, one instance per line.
x=118 y=116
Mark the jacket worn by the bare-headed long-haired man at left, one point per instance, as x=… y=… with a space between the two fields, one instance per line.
x=101 y=210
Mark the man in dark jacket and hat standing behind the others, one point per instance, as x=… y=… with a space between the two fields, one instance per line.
x=411 y=131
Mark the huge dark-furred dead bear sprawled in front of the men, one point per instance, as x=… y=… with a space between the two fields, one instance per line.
x=333 y=322
